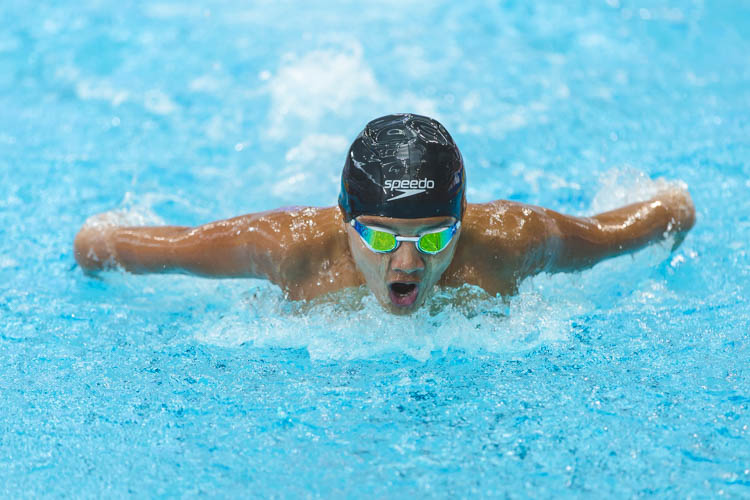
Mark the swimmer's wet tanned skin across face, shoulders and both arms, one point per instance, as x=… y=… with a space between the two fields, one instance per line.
x=309 y=252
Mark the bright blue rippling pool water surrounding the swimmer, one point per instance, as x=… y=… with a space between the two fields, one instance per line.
x=630 y=379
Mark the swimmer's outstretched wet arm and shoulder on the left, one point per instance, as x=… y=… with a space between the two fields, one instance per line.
x=280 y=246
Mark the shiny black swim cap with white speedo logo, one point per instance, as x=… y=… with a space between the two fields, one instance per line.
x=404 y=166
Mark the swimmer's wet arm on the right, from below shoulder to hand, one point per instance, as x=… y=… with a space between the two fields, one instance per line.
x=574 y=243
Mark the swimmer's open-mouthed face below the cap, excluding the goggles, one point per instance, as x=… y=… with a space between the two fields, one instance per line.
x=403 y=279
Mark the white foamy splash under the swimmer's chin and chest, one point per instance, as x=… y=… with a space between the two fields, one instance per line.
x=352 y=325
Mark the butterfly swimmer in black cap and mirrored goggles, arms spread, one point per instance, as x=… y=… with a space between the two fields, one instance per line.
x=402 y=227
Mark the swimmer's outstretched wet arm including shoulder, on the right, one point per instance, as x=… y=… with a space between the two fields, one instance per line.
x=503 y=242
